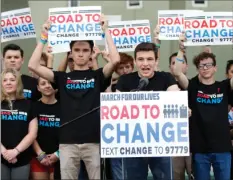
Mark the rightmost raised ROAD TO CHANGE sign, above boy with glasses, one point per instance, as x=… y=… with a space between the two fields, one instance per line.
x=209 y=28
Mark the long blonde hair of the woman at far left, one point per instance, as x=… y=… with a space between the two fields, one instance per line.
x=19 y=90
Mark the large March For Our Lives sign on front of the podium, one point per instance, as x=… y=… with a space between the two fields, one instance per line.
x=144 y=124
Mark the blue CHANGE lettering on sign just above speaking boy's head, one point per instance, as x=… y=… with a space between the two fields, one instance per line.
x=131 y=40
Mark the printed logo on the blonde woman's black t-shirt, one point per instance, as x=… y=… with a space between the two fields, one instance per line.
x=13 y=115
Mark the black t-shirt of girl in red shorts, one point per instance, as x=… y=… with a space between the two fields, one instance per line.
x=48 y=116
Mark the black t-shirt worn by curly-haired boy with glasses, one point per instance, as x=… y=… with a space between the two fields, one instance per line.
x=209 y=126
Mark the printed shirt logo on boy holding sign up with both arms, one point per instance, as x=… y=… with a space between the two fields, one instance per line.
x=80 y=84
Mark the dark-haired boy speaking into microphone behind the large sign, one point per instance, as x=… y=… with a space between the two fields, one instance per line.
x=146 y=62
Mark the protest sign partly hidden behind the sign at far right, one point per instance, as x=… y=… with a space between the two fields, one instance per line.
x=171 y=23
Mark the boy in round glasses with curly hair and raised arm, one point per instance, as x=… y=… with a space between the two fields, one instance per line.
x=210 y=141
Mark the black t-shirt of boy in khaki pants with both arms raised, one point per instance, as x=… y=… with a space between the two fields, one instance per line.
x=79 y=94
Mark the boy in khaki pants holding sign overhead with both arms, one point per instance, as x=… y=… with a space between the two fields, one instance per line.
x=79 y=94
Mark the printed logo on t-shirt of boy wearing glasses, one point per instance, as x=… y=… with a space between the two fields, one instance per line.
x=209 y=98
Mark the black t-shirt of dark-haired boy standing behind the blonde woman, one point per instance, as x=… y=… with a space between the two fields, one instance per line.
x=30 y=90
